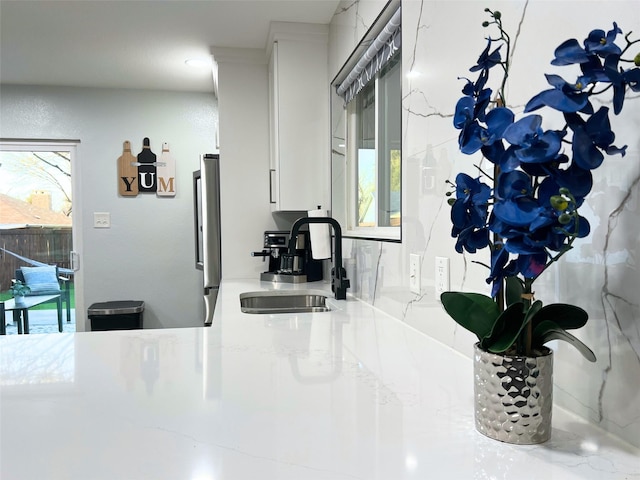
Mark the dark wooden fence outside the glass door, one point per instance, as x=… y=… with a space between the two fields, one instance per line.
x=47 y=245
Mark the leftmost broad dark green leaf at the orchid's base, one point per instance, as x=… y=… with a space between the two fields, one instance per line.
x=475 y=312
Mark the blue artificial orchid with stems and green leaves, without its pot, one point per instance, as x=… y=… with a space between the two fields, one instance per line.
x=529 y=217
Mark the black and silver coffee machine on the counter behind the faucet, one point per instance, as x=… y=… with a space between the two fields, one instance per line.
x=298 y=267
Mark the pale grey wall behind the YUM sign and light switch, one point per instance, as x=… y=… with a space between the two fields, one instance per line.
x=148 y=253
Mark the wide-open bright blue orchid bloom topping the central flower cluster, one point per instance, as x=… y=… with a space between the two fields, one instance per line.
x=534 y=144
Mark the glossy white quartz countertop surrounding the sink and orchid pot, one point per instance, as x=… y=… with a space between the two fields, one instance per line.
x=347 y=394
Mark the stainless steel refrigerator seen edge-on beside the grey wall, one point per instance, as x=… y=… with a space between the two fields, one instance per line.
x=206 y=194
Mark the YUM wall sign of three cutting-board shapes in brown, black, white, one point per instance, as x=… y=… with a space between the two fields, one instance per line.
x=143 y=174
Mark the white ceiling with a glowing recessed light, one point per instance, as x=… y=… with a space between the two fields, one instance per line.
x=139 y=44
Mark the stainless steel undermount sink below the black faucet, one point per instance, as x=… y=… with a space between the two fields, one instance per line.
x=283 y=302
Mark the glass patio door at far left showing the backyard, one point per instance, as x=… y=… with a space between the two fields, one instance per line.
x=37 y=211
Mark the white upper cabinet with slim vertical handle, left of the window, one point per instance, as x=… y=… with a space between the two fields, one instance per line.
x=299 y=116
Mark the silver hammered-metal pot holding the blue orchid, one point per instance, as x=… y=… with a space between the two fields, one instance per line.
x=513 y=396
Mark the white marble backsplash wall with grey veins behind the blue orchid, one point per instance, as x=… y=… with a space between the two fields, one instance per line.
x=440 y=40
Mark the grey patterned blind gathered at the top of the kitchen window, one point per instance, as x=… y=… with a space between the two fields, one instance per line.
x=383 y=47
